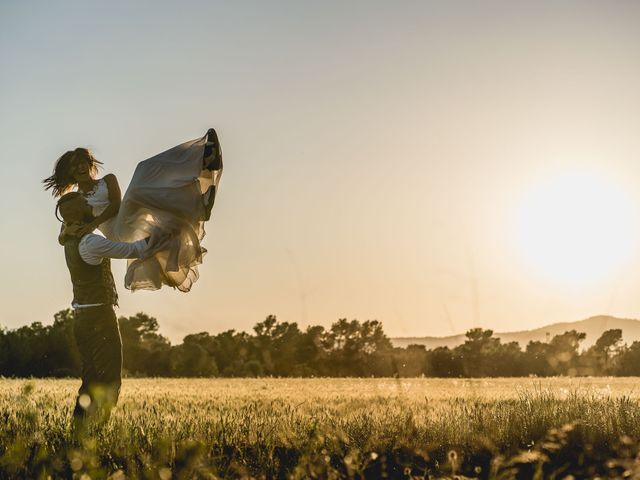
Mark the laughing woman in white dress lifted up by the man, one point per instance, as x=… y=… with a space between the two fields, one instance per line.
x=173 y=191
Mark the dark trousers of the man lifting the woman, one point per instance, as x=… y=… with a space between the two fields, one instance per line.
x=98 y=340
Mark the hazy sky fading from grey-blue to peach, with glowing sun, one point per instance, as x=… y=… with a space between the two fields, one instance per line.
x=433 y=165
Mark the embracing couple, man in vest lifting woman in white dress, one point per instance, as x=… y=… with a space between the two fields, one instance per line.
x=157 y=226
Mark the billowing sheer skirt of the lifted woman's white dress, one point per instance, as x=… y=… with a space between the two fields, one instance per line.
x=170 y=198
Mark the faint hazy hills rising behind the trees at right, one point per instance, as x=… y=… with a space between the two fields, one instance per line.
x=593 y=327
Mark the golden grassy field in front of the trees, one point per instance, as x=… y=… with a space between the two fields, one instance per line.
x=329 y=428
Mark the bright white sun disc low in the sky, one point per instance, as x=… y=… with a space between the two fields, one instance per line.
x=576 y=228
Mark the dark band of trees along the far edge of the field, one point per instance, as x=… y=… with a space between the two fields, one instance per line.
x=282 y=349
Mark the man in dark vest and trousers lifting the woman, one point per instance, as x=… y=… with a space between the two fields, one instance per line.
x=95 y=324
